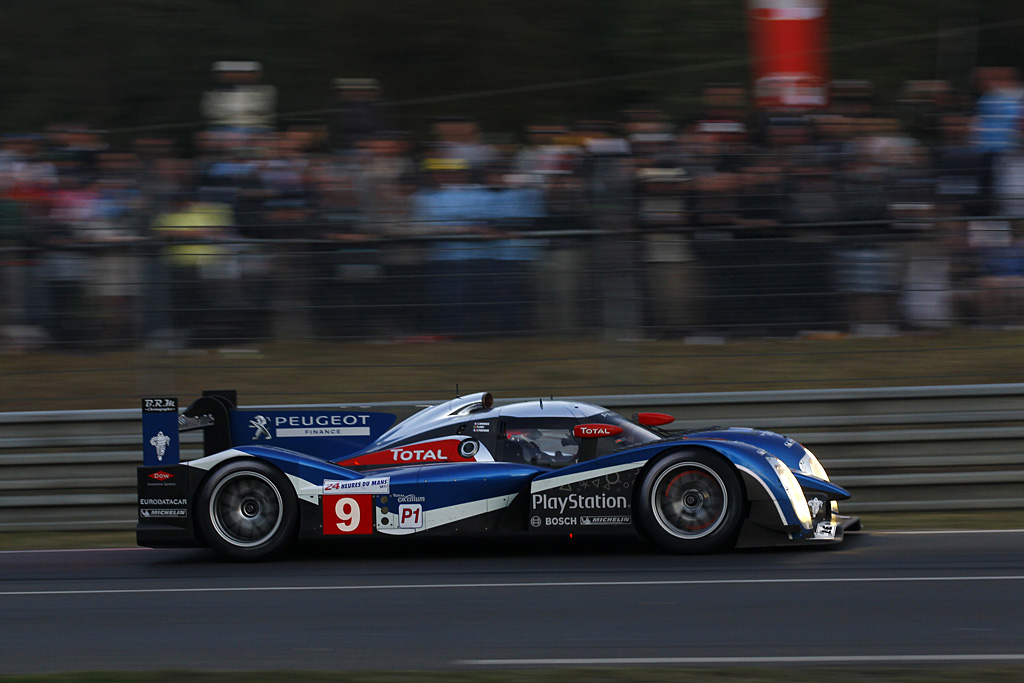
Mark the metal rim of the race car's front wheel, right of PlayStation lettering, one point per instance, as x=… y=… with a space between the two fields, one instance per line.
x=690 y=500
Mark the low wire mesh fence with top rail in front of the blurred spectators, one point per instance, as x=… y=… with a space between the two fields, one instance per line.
x=610 y=281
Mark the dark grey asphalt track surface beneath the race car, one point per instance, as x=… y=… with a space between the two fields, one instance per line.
x=879 y=599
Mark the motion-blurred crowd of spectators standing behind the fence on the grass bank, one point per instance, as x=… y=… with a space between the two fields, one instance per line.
x=856 y=219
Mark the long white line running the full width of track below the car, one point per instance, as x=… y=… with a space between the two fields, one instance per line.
x=551 y=584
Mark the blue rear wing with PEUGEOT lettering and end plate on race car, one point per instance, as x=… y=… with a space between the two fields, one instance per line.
x=325 y=434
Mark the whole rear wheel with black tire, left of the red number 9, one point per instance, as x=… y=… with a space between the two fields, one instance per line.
x=247 y=510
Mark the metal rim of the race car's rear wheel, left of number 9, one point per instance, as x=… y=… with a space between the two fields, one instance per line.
x=246 y=509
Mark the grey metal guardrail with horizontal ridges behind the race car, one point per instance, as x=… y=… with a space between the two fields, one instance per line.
x=943 y=448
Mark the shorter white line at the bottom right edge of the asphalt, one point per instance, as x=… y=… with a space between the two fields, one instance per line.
x=812 y=660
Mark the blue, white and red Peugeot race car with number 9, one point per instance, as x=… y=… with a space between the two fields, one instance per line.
x=468 y=466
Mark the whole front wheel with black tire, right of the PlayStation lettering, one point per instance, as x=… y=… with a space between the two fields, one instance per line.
x=692 y=502
